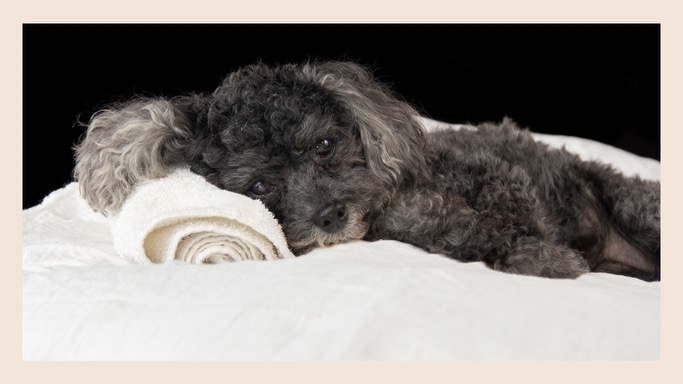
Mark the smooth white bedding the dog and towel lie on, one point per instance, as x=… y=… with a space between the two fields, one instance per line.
x=358 y=301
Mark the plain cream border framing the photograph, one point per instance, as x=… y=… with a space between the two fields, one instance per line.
x=13 y=15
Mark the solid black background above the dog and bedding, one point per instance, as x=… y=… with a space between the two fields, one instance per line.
x=595 y=81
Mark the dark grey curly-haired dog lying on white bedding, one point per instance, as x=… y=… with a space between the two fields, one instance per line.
x=338 y=156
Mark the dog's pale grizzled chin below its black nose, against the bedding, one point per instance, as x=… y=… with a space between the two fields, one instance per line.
x=312 y=237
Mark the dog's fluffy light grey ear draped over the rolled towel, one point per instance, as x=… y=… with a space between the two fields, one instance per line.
x=128 y=143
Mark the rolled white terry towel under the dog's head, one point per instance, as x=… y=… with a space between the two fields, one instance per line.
x=183 y=217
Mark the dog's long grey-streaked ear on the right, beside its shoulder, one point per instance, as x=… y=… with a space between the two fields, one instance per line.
x=392 y=136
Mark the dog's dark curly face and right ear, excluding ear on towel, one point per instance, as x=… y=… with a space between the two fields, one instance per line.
x=323 y=145
